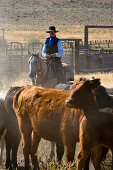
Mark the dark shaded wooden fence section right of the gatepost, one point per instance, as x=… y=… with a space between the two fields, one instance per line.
x=96 y=60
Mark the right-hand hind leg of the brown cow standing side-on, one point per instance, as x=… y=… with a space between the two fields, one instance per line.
x=35 y=140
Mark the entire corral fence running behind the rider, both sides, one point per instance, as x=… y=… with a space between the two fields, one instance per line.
x=13 y=57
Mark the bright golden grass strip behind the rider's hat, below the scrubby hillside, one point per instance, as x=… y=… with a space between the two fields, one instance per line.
x=75 y=31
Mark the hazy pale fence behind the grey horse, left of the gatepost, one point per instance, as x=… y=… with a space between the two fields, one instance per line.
x=13 y=57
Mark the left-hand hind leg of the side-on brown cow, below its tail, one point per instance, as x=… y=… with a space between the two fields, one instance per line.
x=26 y=130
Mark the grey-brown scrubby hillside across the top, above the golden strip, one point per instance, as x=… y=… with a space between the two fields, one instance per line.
x=56 y=12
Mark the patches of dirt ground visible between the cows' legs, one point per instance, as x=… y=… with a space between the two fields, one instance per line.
x=43 y=155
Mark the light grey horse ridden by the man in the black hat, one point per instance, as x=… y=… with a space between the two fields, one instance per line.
x=42 y=73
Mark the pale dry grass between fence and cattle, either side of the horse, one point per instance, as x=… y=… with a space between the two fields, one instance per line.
x=23 y=79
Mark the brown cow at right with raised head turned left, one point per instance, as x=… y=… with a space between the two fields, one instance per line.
x=96 y=128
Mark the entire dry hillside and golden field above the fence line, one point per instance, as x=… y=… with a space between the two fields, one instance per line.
x=25 y=19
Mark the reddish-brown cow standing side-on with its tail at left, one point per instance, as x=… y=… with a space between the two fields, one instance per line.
x=42 y=113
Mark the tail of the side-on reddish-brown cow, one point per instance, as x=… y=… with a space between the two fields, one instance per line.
x=15 y=100
